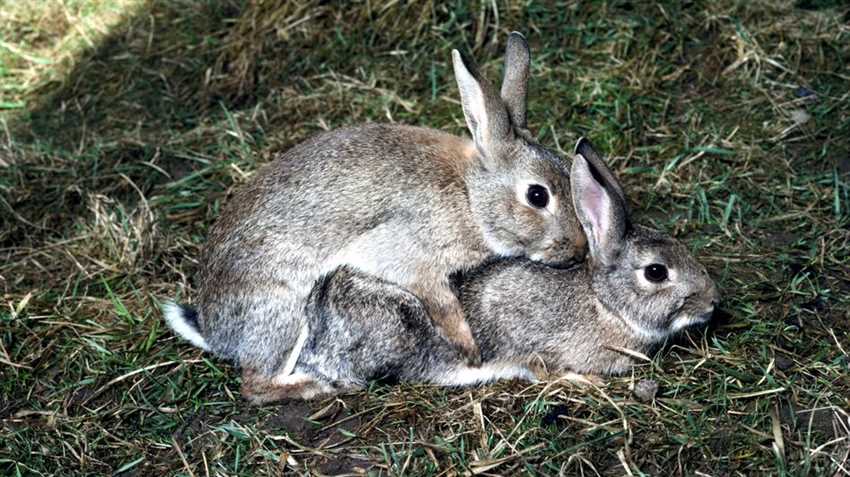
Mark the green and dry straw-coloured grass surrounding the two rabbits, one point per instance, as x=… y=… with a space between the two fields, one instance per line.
x=127 y=123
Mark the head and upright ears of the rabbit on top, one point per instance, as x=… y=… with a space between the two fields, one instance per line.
x=519 y=192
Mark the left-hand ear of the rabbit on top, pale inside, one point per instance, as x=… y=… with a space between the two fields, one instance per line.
x=485 y=113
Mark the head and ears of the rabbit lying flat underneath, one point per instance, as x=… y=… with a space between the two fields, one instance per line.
x=643 y=277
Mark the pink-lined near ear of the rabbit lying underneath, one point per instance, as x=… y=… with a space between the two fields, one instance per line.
x=600 y=210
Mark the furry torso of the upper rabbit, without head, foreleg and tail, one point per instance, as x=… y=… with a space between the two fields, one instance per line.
x=388 y=200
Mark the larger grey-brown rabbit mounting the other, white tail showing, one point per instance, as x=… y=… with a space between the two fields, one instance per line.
x=404 y=205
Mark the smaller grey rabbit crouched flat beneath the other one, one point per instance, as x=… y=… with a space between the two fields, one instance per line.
x=637 y=288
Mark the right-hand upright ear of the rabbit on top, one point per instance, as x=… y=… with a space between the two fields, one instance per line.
x=515 y=79
